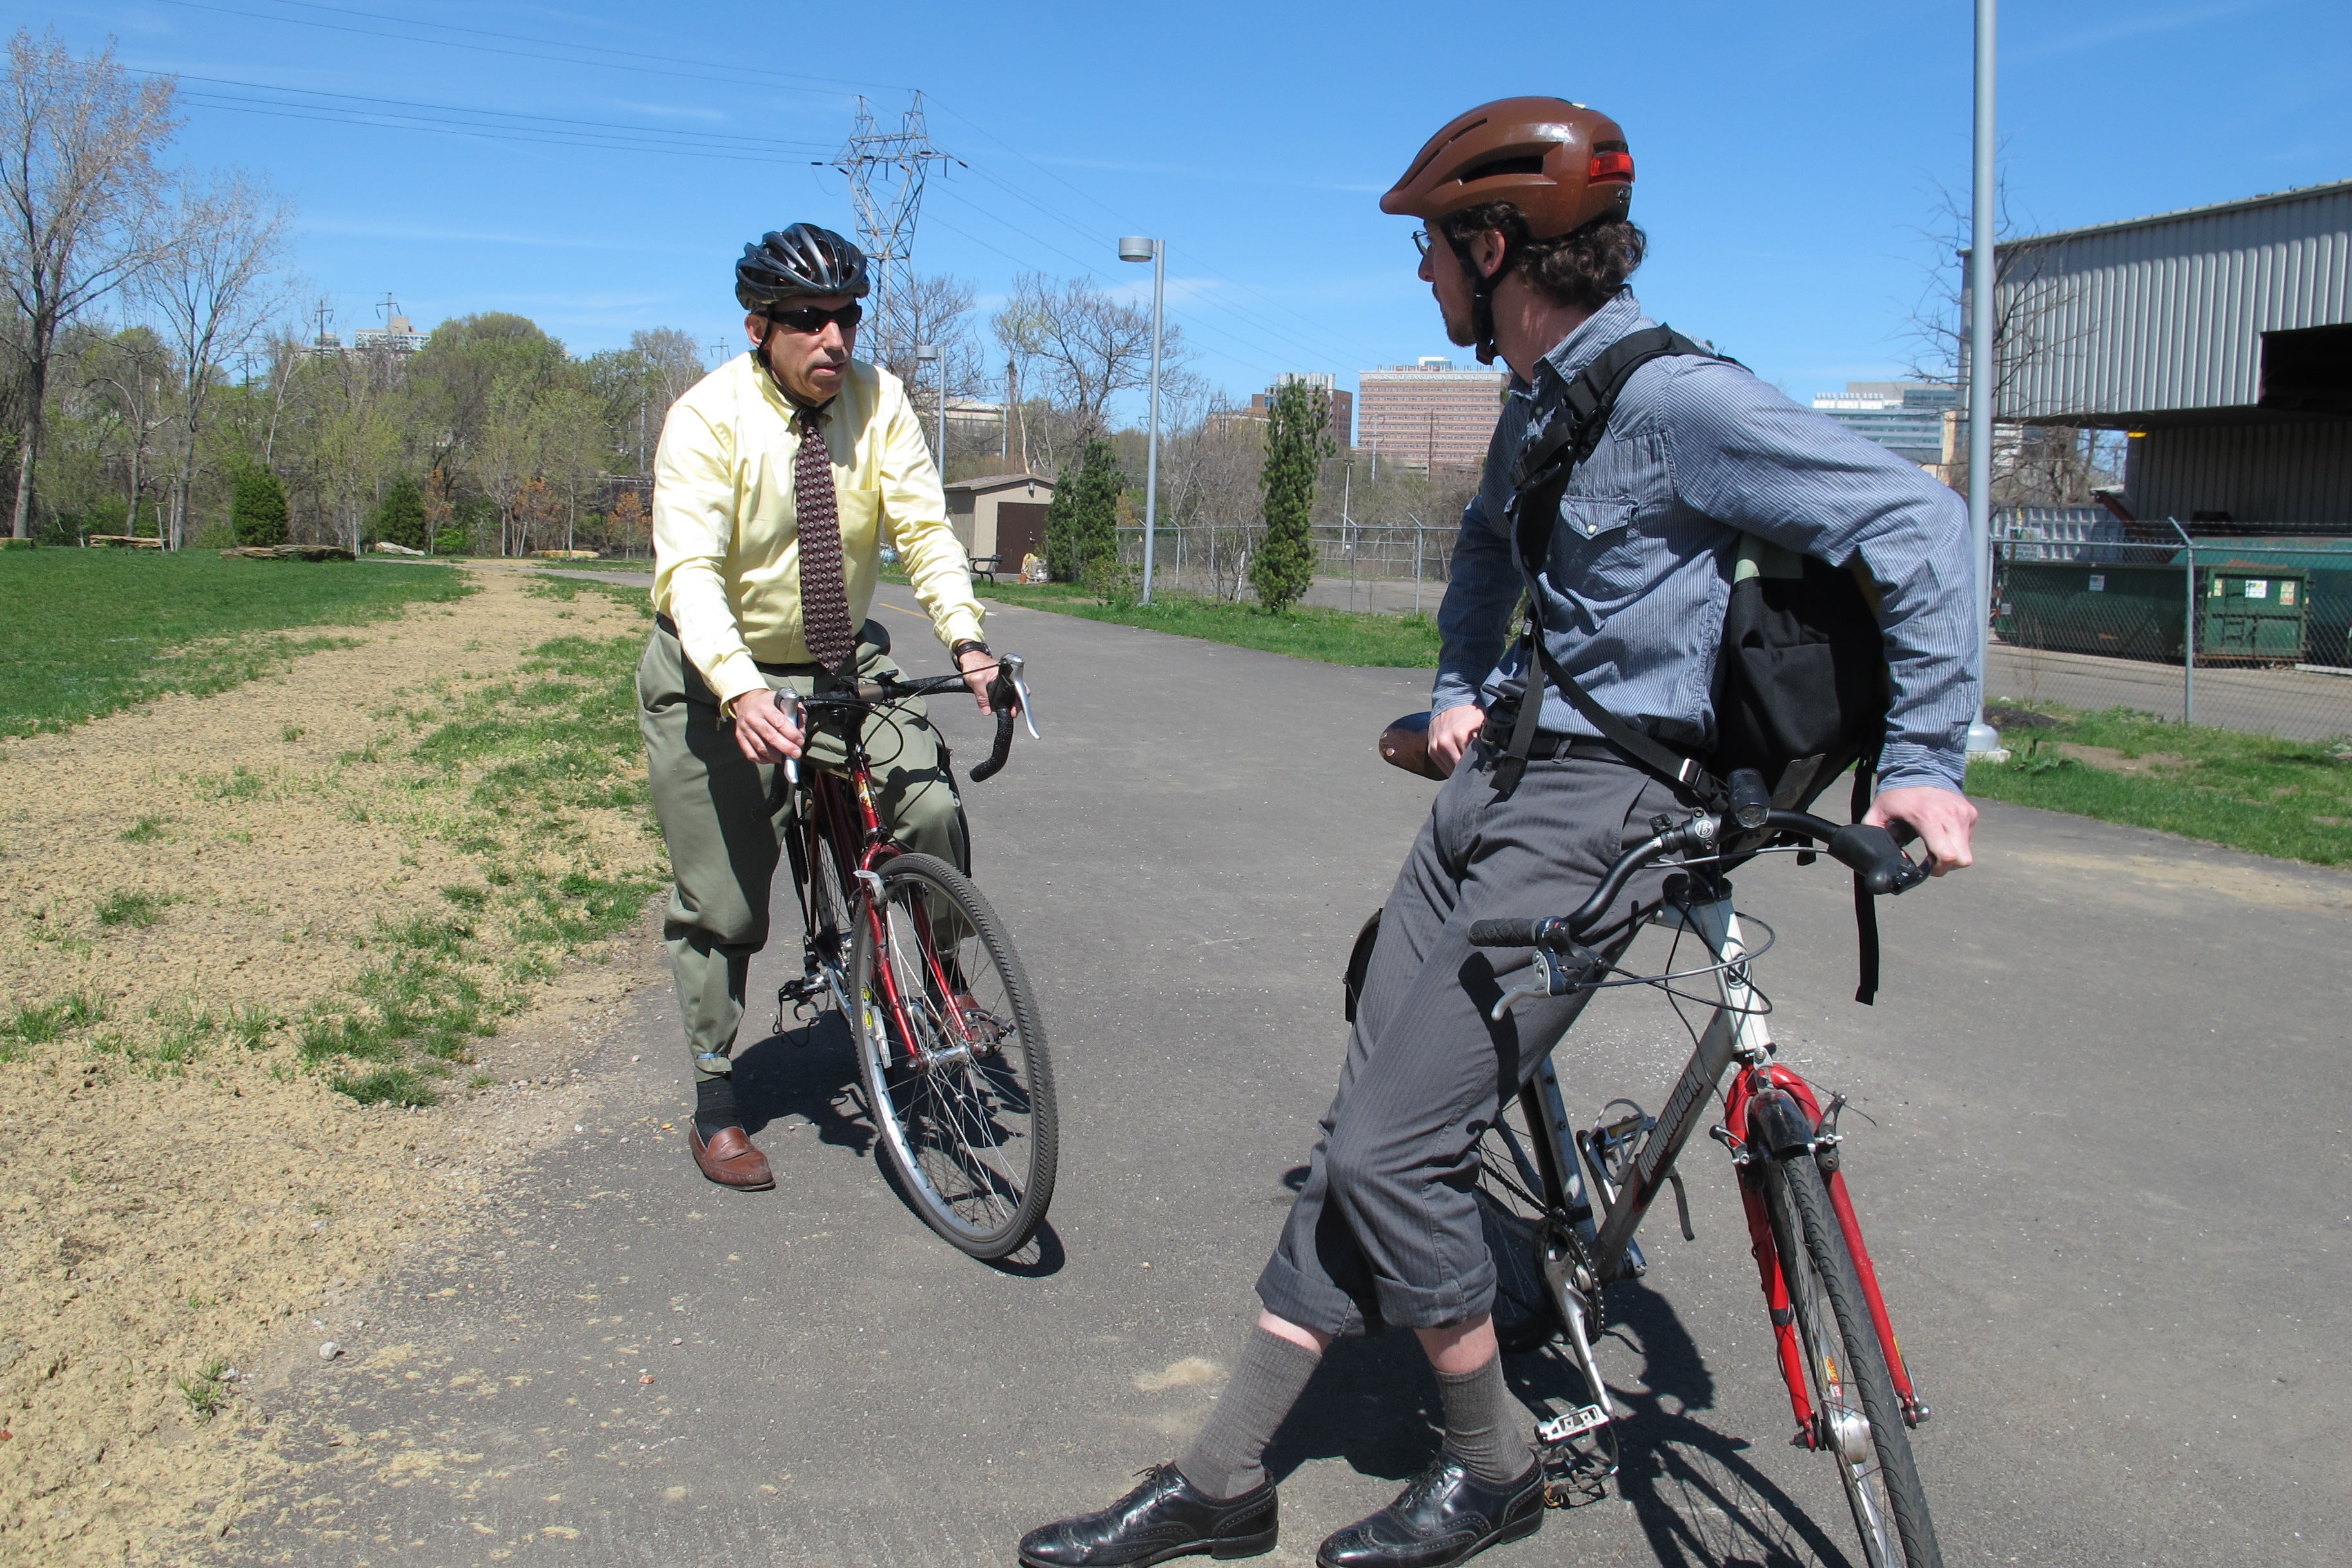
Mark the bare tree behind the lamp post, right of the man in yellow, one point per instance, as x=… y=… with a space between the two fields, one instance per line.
x=1076 y=349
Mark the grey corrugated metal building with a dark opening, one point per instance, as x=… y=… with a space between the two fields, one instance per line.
x=2219 y=335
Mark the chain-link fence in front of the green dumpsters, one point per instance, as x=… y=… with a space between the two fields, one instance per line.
x=2240 y=626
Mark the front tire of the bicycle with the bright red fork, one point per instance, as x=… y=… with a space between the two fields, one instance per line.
x=1885 y=1496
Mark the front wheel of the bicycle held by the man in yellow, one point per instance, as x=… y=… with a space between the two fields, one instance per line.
x=954 y=1057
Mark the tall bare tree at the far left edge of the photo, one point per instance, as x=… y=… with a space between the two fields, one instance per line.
x=79 y=192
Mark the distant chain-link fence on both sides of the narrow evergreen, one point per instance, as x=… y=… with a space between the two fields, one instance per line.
x=1398 y=570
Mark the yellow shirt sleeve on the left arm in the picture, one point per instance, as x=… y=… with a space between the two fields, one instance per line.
x=695 y=511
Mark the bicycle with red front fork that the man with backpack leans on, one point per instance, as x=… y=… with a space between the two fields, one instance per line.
x=1563 y=1207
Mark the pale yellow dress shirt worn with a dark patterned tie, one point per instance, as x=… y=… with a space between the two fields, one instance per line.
x=728 y=537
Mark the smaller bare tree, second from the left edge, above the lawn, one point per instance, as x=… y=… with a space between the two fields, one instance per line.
x=213 y=293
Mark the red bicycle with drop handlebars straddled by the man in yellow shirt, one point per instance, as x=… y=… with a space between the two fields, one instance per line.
x=949 y=1036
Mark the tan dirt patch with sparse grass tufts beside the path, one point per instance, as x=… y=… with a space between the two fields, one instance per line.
x=213 y=911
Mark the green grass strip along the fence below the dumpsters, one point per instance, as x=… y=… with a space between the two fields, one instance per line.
x=2254 y=793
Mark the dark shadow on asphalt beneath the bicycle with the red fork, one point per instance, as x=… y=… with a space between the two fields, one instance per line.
x=1699 y=1501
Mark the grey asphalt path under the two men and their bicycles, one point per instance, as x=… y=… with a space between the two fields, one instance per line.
x=2099 y=1146
